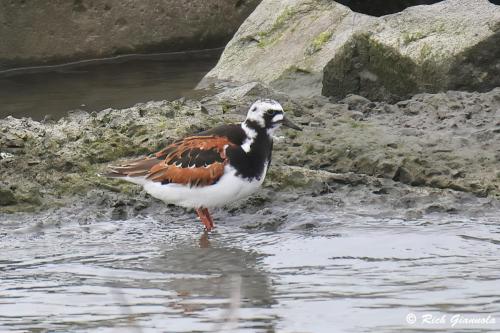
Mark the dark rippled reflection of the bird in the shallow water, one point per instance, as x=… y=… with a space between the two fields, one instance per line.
x=212 y=275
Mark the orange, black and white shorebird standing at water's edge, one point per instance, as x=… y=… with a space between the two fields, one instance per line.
x=212 y=168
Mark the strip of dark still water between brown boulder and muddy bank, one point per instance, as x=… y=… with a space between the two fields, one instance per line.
x=96 y=86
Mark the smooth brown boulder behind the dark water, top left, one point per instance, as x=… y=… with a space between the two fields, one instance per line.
x=40 y=32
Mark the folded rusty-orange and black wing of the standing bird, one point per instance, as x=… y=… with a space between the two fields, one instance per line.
x=195 y=161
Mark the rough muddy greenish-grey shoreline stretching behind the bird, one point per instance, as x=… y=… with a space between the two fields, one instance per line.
x=434 y=153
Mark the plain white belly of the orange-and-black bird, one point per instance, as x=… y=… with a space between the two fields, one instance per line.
x=228 y=189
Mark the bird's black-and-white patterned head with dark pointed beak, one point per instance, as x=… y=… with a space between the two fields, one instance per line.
x=268 y=114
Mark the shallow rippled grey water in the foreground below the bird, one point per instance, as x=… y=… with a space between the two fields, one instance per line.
x=349 y=274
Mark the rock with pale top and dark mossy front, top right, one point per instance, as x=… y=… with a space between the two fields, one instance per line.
x=450 y=45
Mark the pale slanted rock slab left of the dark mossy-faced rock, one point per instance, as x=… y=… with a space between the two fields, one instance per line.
x=287 y=43
